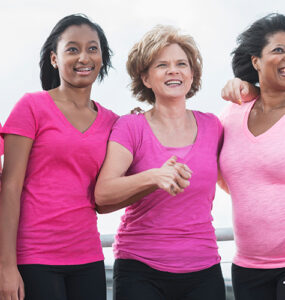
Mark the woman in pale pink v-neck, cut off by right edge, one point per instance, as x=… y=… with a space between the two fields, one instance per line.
x=252 y=162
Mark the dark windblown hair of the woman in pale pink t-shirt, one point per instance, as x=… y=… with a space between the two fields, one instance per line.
x=251 y=43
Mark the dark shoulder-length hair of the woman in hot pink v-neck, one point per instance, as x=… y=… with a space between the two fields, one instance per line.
x=50 y=76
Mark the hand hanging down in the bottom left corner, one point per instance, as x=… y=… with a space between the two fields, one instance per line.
x=11 y=284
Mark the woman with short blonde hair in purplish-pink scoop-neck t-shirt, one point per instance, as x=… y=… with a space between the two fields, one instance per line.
x=166 y=245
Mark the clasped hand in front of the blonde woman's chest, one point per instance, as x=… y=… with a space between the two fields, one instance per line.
x=173 y=177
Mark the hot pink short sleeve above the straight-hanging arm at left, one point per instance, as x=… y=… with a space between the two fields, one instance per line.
x=22 y=120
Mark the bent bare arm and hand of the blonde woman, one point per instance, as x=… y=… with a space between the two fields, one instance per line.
x=116 y=190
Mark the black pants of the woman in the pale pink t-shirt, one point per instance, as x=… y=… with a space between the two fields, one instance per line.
x=258 y=284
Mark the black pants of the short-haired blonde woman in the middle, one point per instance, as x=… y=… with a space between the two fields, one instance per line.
x=134 y=280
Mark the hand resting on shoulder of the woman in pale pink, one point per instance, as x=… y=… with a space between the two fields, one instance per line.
x=238 y=91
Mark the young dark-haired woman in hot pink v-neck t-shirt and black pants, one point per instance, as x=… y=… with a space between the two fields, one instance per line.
x=55 y=144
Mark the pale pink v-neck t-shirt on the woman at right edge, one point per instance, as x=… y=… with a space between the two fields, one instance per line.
x=254 y=170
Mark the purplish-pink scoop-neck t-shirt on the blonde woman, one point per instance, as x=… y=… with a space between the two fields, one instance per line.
x=173 y=234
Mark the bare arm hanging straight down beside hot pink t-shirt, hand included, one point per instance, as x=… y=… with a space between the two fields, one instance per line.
x=17 y=150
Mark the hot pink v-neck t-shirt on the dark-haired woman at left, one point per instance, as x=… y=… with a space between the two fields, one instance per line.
x=58 y=222
